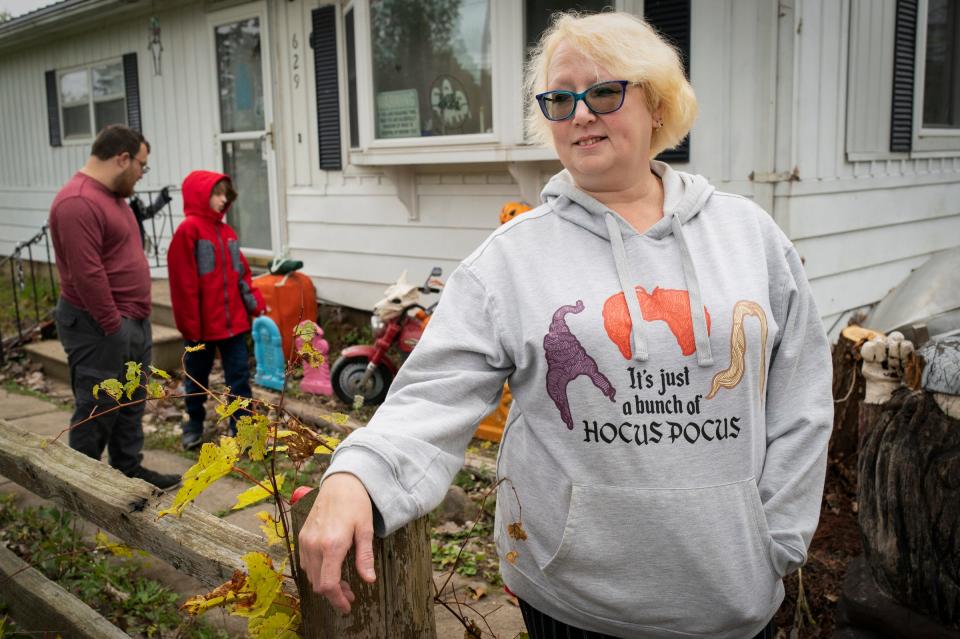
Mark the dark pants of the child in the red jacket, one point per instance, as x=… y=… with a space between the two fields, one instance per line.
x=236 y=374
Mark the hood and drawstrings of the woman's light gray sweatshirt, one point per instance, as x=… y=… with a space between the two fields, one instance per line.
x=684 y=196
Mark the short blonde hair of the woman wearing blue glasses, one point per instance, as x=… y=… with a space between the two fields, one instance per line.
x=627 y=47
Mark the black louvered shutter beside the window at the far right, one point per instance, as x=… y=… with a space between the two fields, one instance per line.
x=904 y=51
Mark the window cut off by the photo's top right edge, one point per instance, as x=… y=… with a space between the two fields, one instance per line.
x=941 y=83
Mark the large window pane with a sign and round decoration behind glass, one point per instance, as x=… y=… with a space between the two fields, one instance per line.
x=431 y=68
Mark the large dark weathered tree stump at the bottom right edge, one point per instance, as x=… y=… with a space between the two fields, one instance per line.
x=909 y=503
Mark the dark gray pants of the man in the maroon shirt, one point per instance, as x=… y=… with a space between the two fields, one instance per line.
x=94 y=357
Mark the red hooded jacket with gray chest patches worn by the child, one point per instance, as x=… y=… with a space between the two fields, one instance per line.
x=210 y=285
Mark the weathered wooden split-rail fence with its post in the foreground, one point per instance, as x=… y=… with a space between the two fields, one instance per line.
x=399 y=605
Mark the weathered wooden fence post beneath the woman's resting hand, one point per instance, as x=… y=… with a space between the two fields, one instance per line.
x=398 y=606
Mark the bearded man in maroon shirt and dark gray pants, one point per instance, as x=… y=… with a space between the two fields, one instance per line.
x=104 y=309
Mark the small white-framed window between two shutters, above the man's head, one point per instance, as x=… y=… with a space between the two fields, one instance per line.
x=91 y=98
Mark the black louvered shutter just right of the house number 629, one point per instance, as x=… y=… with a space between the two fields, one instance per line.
x=323 y=40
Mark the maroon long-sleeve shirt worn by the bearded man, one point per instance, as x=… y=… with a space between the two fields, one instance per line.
x=102 y=266
